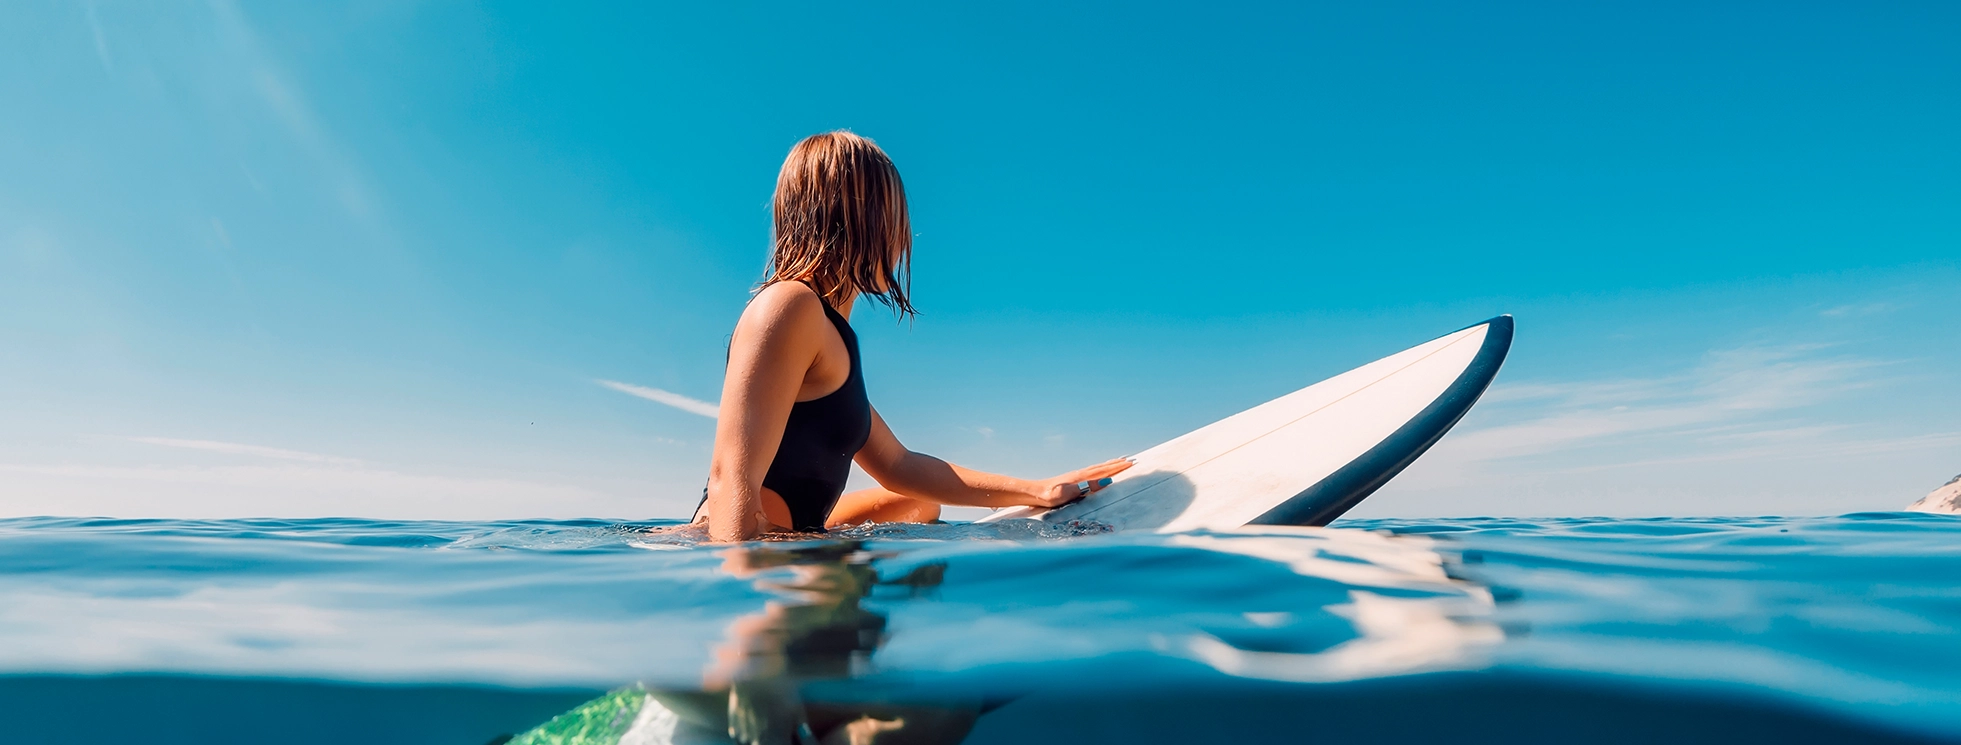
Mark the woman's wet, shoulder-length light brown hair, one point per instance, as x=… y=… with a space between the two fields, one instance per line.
x=840 y=223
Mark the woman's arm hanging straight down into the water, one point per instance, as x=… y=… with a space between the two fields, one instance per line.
x=774 y=348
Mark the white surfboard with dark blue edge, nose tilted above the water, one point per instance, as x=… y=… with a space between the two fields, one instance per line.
x=1305 y=458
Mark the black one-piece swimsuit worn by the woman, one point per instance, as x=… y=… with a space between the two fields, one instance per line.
x=819 y=444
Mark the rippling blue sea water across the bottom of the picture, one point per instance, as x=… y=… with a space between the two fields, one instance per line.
x=1684 y=630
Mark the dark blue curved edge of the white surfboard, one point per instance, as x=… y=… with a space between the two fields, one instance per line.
x=1344 y=489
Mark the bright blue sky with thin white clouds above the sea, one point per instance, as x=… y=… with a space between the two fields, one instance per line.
x=479 y=262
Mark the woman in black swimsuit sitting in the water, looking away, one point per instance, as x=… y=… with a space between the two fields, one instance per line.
x=793 y=405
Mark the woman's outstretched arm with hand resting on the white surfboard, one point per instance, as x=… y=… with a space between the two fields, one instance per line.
x=925 y=477
